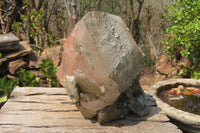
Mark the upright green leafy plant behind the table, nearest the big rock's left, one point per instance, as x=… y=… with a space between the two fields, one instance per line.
x=49 y=71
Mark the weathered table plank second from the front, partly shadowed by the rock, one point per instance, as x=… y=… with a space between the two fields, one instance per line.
x=66 y=118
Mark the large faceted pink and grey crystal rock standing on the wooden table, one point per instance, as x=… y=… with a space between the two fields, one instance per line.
x=99 y=67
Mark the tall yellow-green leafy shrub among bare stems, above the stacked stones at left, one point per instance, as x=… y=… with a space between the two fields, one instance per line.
x=32 y=27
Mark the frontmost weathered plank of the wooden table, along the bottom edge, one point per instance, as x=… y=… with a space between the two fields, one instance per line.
x=142 y=127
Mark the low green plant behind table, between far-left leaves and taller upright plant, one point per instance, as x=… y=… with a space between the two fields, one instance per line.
x=27 y=78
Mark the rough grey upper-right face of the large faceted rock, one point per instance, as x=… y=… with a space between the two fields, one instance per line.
x=115 y=46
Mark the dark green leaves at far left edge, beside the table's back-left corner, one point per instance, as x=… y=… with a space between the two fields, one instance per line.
x=6 y=86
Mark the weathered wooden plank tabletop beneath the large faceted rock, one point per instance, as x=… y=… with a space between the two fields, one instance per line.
x=51 y=110
